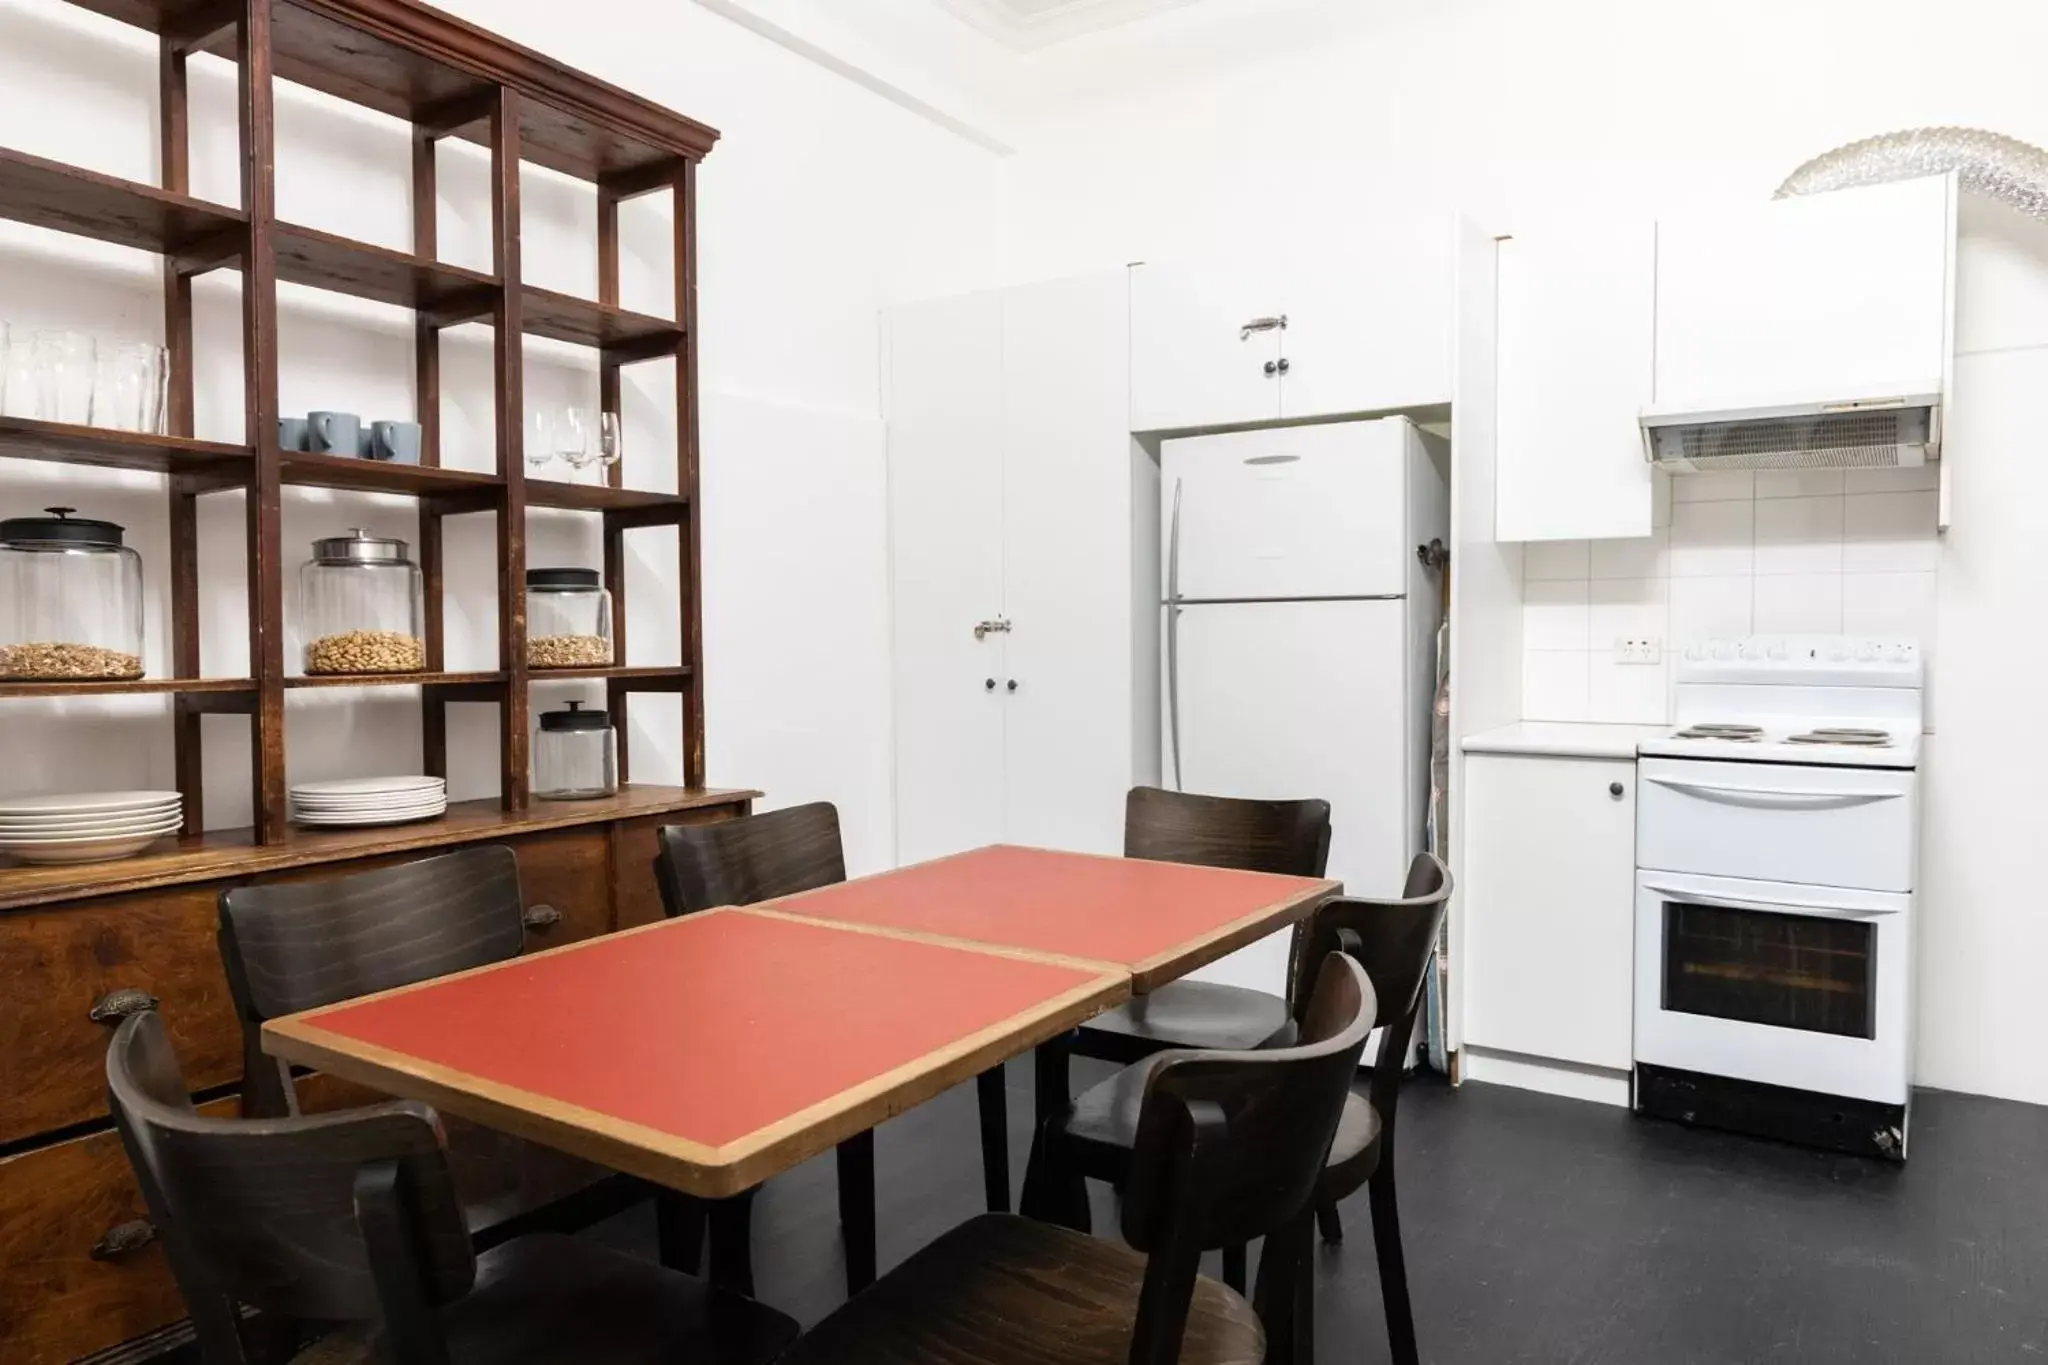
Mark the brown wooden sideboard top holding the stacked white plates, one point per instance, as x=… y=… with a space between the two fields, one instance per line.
x=237 y=854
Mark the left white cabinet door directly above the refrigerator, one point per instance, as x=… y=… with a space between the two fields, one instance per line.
x=1193 y=361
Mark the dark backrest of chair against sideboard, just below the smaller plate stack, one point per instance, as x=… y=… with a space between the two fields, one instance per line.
x=306 y=944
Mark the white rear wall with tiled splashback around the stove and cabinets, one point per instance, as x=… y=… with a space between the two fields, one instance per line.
x=1240 y=126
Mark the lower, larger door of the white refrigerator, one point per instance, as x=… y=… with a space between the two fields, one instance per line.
x=1293 y=701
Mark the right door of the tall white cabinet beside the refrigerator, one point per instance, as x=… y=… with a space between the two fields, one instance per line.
x=1068 y=564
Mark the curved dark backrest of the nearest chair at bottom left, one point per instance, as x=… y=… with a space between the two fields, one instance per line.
x=265 y=1213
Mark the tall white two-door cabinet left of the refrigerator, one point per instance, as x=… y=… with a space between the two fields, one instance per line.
x=1025 y=570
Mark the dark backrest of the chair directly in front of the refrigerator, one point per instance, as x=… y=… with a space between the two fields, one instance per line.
x=1224 y=832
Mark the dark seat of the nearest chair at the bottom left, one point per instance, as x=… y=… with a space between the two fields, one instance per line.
x=552 y=1298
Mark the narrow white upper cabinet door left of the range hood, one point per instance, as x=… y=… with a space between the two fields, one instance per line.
x=1576 y=341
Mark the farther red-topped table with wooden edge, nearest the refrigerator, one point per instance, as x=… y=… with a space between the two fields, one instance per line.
x=1154 y=920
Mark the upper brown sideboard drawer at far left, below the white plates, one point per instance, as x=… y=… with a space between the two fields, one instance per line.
x=65 y=963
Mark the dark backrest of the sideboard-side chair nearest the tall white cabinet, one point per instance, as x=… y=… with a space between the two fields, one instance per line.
x=753 y=858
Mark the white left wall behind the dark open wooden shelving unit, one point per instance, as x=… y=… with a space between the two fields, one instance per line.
x=820 y=204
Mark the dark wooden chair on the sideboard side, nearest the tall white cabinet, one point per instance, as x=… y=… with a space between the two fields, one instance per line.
x=742 y=863
